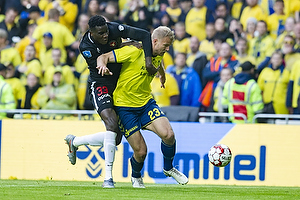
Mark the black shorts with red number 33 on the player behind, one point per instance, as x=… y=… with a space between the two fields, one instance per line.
x=101 y=95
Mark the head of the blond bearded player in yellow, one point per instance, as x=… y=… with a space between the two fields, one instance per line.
x=162 y=38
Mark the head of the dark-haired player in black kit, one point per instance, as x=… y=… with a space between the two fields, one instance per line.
x=98 y=29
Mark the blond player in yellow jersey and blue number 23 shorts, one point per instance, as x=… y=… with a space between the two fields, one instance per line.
x=135 y=106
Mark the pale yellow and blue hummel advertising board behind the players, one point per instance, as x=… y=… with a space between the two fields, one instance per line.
x=263 y=154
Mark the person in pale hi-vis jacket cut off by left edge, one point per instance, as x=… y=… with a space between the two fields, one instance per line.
x=6 y=96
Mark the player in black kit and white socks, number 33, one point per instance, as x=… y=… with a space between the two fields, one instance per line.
x=101 y=38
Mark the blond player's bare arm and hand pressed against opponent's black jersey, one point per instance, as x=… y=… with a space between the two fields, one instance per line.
x=102 y=61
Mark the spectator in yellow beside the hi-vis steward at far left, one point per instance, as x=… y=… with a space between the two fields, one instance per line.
x=16 y=84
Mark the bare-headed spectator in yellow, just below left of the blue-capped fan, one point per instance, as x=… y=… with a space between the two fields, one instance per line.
x=30 y=65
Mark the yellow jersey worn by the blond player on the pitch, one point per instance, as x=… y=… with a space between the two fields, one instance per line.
x=133 y=88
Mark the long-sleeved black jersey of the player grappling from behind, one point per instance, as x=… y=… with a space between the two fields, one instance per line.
x=91 y=50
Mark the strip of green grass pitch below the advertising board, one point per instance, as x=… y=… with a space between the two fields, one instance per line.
x=43 y=190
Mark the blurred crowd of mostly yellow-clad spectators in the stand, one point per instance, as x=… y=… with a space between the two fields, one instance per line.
x=236 y=56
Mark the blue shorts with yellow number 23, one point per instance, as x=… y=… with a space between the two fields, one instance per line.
x=132 y=119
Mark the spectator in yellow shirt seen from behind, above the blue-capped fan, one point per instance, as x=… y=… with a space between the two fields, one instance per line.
x=62 y=36
